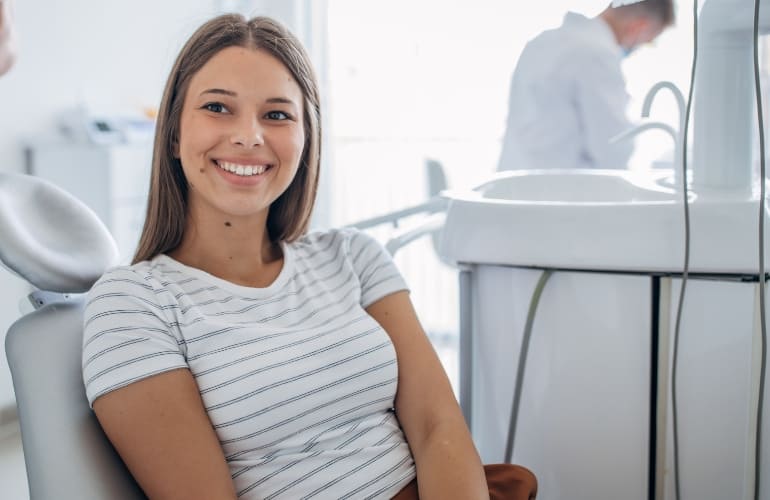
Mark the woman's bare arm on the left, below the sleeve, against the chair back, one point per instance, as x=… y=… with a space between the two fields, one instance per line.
x=162 y=432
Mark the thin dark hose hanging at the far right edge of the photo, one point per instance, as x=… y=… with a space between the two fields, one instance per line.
x=762 y=319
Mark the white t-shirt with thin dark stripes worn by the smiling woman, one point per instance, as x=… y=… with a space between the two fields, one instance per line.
x=297 y=379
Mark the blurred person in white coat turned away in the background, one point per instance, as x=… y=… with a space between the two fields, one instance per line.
x=568 y=95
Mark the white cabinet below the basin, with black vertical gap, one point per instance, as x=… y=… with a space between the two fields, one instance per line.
x=595 y=418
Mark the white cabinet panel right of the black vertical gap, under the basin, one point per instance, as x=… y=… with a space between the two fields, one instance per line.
x=713 y=391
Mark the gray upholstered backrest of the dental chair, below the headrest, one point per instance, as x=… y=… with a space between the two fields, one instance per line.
x=67 y=455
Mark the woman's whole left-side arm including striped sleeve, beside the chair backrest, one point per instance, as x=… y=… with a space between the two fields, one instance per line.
x=143 y=393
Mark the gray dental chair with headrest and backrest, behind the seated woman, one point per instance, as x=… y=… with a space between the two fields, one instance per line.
x=60 y=247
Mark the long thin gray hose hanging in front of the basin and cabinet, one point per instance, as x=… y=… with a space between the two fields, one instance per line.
x=686 y=266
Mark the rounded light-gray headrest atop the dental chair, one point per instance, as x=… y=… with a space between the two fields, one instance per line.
x=49 y=237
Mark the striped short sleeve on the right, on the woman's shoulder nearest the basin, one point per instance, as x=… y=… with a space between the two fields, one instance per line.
x=374 y=267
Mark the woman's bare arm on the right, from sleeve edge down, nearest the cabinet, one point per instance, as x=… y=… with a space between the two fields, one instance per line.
x=448 y=465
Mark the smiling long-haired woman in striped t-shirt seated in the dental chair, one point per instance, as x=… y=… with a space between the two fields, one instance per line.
x=239 y=356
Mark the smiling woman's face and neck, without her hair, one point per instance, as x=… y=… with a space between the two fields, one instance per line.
x=241 y=138
